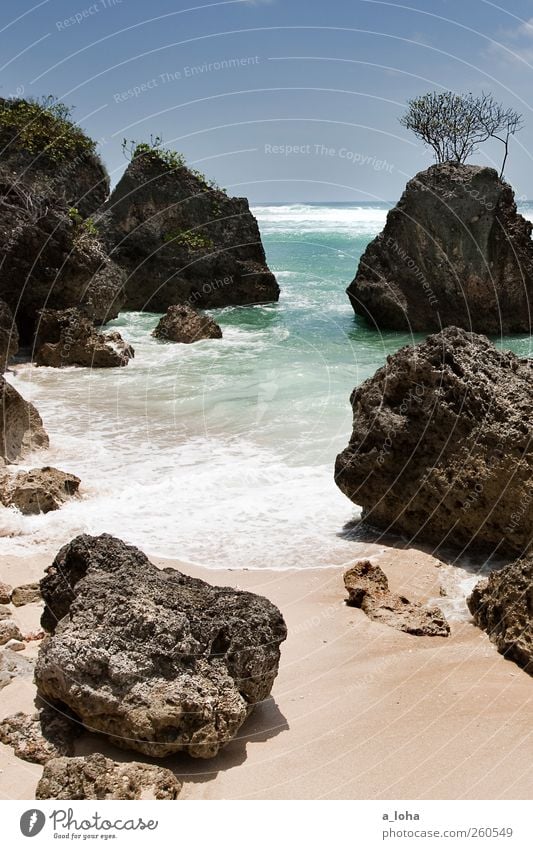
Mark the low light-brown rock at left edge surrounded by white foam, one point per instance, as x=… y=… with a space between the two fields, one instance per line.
x=39 y=490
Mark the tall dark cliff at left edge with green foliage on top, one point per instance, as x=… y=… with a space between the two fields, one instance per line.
x=51 y=254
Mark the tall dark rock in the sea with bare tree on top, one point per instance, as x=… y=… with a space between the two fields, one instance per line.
x=454 y=251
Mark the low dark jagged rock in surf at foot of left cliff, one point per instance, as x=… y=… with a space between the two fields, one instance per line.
x=69 y=338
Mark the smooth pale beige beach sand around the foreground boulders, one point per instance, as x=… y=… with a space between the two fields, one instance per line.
x=358 y=711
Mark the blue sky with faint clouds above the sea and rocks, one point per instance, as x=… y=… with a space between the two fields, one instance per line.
x=277 y=100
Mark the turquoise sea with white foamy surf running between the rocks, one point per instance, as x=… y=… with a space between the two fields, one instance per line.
x=221 y=453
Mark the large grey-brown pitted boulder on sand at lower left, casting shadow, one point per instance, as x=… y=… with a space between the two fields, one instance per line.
x=157 y=661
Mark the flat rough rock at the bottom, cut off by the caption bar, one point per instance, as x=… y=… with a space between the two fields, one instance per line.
x=98 y=777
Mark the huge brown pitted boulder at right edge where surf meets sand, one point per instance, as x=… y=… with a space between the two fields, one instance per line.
x=442 y=445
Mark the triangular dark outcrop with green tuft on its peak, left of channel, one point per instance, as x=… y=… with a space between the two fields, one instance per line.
x=181 y=240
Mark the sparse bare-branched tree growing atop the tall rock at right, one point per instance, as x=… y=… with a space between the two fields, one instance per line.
x=454 y=125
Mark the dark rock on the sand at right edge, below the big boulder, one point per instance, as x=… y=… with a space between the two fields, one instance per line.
x=502 y=605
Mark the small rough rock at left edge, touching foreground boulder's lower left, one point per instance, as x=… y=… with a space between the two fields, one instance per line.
x=37 y=738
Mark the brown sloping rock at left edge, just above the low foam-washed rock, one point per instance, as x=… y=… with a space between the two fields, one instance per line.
x=21 y=427
